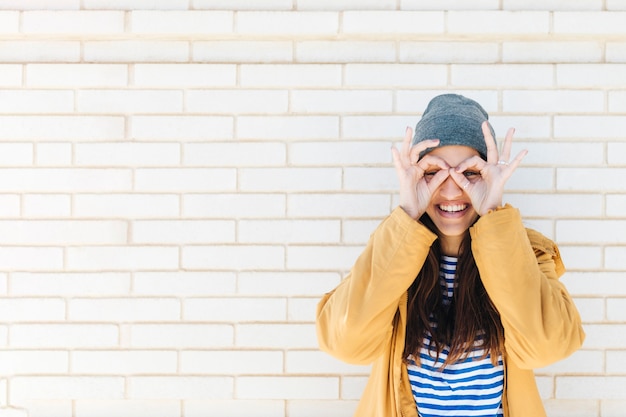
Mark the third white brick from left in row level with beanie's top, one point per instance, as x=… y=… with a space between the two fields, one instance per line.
x=237 y=101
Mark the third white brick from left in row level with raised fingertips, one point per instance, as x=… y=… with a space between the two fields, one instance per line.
x=287 y=128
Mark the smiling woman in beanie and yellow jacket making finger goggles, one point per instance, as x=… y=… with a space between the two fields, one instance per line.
x=453 y=301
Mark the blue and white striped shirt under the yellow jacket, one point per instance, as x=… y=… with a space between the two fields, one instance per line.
x=471 y=387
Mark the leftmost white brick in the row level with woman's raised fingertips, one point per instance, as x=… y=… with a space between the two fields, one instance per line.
x=54 y=128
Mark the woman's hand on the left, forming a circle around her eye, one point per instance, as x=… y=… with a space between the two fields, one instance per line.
x=418 y=178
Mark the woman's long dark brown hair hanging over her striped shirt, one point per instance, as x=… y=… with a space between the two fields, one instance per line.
x=470 y=315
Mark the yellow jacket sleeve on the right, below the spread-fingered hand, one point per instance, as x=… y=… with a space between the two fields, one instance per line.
x=520 y=270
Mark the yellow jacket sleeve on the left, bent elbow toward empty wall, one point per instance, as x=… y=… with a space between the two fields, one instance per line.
x=354 y=321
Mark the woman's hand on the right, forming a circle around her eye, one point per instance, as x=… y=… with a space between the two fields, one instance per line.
x=484 y=180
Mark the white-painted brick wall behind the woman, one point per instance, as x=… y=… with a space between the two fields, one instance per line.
x=181 y=180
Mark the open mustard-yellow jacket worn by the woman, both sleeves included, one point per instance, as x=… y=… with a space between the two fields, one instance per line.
x=363 y=320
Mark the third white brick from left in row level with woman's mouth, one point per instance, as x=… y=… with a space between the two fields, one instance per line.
x=126 y=205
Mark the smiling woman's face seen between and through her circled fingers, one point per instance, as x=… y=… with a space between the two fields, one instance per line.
x=450 y=207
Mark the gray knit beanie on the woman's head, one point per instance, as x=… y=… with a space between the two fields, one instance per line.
x=454 y=120
